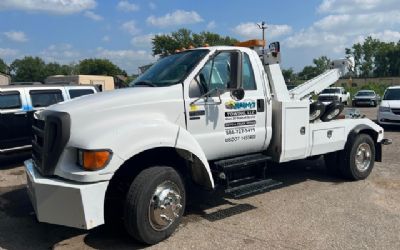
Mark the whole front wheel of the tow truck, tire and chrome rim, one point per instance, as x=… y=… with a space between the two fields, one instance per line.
x=155 y=204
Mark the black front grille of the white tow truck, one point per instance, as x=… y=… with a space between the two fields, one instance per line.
x=49 y=137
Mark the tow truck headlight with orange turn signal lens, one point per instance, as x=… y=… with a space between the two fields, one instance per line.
x=93 y=159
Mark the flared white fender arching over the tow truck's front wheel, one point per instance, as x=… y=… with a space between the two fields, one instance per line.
x=131 y=139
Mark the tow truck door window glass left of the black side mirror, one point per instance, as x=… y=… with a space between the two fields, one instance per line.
x=216 y=73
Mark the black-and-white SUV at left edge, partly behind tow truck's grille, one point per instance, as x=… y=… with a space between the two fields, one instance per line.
x=19 y=102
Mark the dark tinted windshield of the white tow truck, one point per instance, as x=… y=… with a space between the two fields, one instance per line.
x=170 y=70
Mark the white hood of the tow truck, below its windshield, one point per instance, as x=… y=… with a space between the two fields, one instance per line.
x=110 y=111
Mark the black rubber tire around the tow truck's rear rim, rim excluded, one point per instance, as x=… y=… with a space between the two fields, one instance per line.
x=347 y=157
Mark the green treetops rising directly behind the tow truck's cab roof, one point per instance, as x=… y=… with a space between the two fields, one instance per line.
x=183 y=38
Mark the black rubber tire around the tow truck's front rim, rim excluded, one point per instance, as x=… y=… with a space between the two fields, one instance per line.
x=137 y=204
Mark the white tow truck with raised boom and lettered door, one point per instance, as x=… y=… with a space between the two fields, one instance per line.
x=208 y=117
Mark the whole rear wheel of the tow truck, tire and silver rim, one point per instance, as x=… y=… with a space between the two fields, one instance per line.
x=358 y=158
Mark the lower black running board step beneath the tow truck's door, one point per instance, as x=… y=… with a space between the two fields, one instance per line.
x=251 y=188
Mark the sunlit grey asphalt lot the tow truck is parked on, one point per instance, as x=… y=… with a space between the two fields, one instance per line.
x=310 y=210
